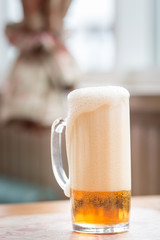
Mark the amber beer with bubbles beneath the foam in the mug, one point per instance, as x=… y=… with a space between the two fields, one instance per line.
x=100 y=207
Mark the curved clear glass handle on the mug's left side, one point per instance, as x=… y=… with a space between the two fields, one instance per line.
x=57 y=129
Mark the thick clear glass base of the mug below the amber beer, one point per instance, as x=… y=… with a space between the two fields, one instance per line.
x=95 y=228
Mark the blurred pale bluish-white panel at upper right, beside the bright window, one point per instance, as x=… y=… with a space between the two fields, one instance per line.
x=134 y=34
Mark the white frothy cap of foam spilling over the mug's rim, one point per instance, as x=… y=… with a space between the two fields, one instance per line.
x=89 y=99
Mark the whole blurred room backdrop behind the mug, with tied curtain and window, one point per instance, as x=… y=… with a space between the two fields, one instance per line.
x=47 y=49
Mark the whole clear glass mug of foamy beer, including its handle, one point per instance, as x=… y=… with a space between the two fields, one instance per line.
x=98 y=150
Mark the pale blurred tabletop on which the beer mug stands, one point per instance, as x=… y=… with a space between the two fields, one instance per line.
x=146 y=213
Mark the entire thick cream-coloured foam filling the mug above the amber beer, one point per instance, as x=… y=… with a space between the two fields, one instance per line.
x=98 y=144
